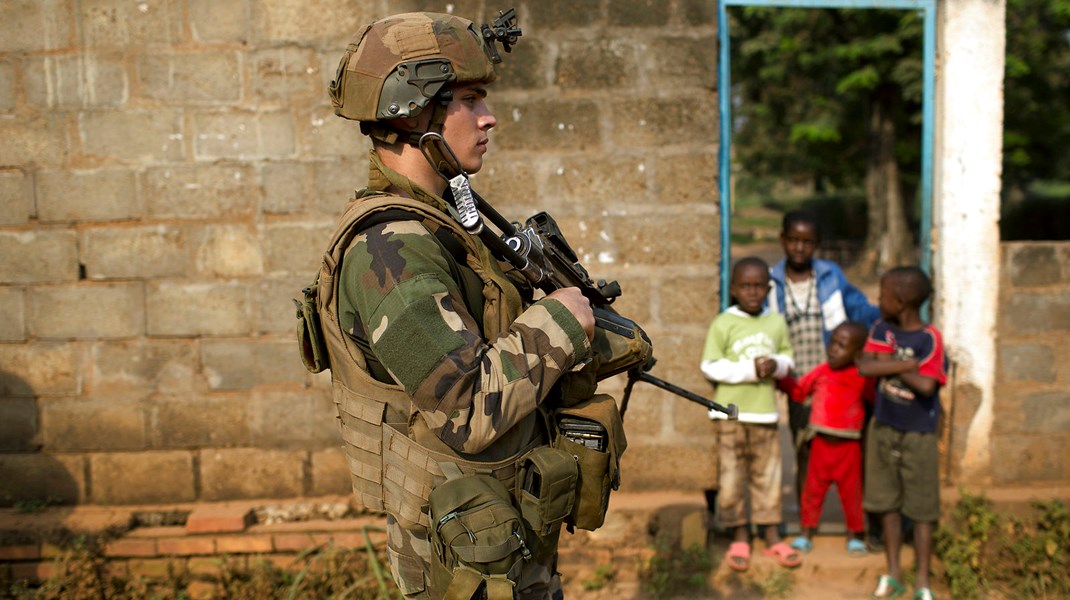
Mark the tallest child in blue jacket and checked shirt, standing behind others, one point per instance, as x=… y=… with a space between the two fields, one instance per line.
x=815 y=297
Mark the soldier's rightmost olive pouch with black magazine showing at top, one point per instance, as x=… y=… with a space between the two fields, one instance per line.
x=593 y=434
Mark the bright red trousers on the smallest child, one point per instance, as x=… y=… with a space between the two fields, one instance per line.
x=839 y=461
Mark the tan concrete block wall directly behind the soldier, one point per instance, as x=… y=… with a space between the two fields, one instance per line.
x=171 y=172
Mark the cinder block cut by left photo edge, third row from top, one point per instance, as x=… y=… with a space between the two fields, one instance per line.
x=41 y=141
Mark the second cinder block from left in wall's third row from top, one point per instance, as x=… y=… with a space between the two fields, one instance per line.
x=150 y=136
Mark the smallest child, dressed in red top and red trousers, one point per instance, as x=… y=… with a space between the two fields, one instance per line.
x=836 y=428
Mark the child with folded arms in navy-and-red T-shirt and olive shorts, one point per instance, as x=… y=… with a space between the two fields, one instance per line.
x=901 y=455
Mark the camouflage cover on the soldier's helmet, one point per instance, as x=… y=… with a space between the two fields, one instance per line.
x=395 y=67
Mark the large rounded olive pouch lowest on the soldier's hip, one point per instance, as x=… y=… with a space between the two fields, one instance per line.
x=478 y=536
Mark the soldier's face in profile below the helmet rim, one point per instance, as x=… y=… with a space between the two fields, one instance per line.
x=468 y=122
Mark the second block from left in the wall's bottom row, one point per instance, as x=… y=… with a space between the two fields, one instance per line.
x=143 y=478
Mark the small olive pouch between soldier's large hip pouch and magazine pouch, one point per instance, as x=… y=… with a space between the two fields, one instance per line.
x=547 y=484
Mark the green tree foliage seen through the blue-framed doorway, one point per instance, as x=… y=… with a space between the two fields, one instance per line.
x=804 y=82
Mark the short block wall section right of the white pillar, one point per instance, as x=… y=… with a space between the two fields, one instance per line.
x=1032 y=427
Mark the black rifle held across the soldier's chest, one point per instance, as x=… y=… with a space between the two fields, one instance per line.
x=539 y=250
